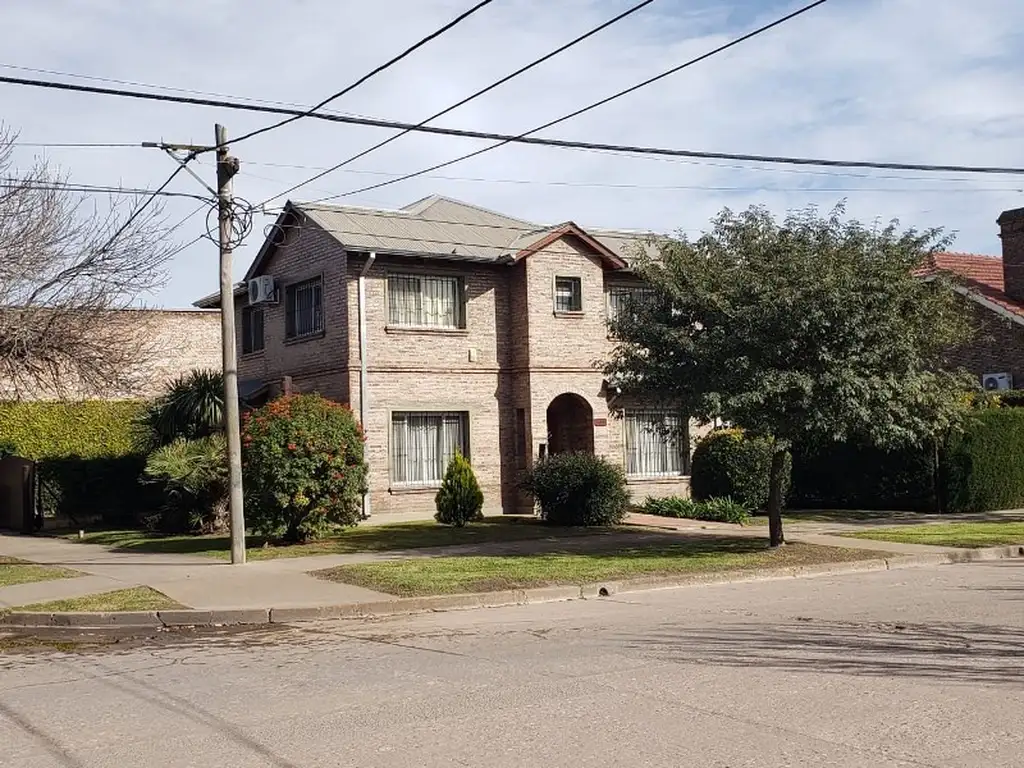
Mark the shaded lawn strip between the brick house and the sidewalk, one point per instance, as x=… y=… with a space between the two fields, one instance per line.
x=387 y=538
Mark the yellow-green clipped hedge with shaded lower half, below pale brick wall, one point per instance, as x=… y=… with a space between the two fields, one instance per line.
x=87 y=455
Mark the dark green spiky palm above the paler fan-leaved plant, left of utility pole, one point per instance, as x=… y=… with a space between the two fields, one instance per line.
x=192 y=408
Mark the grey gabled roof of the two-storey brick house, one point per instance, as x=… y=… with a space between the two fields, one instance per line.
x=444 y=229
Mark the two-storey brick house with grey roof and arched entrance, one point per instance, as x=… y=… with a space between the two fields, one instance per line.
x=448 y=327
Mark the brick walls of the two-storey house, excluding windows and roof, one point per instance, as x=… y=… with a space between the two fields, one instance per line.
x=515 y=355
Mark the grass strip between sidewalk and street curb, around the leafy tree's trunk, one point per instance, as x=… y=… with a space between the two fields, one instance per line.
x=438 y=576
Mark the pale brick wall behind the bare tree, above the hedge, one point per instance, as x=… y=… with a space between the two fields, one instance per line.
x=156 y=346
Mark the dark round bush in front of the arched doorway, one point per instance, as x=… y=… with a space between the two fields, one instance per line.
x=579 y=490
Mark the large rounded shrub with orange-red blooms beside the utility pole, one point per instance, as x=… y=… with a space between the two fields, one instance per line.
x=304 y=467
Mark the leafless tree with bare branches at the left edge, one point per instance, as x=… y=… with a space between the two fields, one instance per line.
x=71 y=272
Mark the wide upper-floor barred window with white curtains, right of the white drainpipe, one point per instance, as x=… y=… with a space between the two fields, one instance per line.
x=425 y=302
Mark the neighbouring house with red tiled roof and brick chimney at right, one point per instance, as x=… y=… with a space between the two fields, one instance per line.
x=996 y=288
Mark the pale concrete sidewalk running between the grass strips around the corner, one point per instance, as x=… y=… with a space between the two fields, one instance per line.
x=204 y=583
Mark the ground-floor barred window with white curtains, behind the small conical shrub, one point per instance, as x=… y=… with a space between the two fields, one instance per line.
x=423 y=444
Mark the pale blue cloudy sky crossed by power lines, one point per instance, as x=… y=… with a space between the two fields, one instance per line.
x=917 y=81
